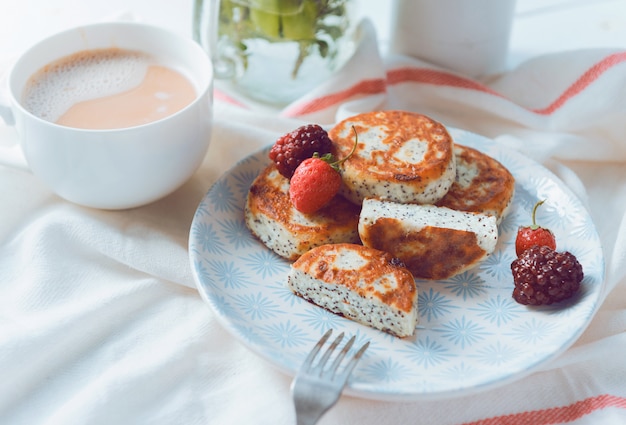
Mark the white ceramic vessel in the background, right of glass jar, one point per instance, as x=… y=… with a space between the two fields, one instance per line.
x=470 y=37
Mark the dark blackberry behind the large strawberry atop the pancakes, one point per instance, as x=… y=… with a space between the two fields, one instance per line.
x=296 y=146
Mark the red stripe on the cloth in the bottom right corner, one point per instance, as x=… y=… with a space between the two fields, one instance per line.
x=556 y=415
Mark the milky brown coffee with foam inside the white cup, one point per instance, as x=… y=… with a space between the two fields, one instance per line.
x=106 y=88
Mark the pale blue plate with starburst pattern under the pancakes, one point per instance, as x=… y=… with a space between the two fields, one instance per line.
x=472 y=335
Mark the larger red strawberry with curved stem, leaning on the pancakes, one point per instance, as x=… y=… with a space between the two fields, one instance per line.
x=316 y=181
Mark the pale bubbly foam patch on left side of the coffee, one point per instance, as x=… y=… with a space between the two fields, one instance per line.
x=83 y=76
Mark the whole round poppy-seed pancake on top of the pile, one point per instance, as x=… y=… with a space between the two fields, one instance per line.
x=400 y=156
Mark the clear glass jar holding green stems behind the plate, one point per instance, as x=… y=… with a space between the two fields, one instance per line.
x=275 y=51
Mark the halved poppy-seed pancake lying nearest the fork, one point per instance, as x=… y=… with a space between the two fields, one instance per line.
x=363 y=284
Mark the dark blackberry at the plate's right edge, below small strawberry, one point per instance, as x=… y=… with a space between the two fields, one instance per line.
x=544 y=276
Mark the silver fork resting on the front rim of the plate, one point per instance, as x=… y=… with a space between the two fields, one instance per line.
x=315 y=389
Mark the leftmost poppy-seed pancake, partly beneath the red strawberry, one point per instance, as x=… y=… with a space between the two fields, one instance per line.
x=272 y=218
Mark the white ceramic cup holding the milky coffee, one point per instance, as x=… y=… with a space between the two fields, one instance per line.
x=118 y=168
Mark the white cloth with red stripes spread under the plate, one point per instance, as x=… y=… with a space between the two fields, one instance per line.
x=100 y=322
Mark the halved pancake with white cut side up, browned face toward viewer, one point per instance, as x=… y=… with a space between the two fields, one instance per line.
x=434 y=242
